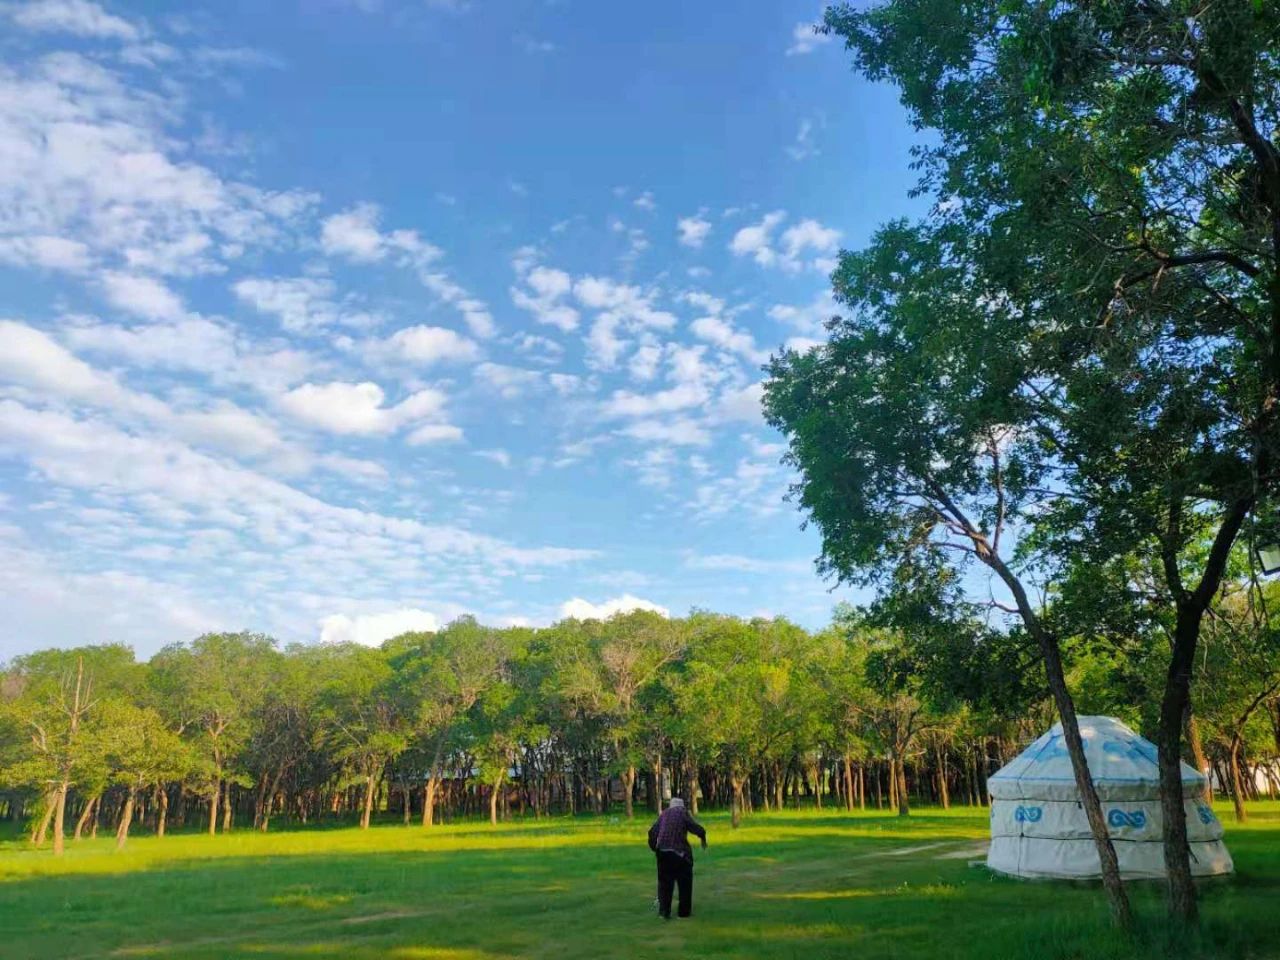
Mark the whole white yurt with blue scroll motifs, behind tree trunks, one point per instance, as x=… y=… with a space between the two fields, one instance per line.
x=1039 y=828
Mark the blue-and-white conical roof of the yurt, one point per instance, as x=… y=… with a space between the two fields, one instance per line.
x=1123 y=765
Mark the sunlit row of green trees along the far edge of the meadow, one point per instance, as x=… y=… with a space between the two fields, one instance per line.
x=232 y=732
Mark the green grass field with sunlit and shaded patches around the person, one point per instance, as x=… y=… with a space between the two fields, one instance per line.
x=797 y=885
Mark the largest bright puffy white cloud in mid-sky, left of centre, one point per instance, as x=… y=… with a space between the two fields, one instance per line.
x=359 y=408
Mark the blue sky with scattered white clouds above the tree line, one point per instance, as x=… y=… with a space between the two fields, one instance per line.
x=336 y=318
